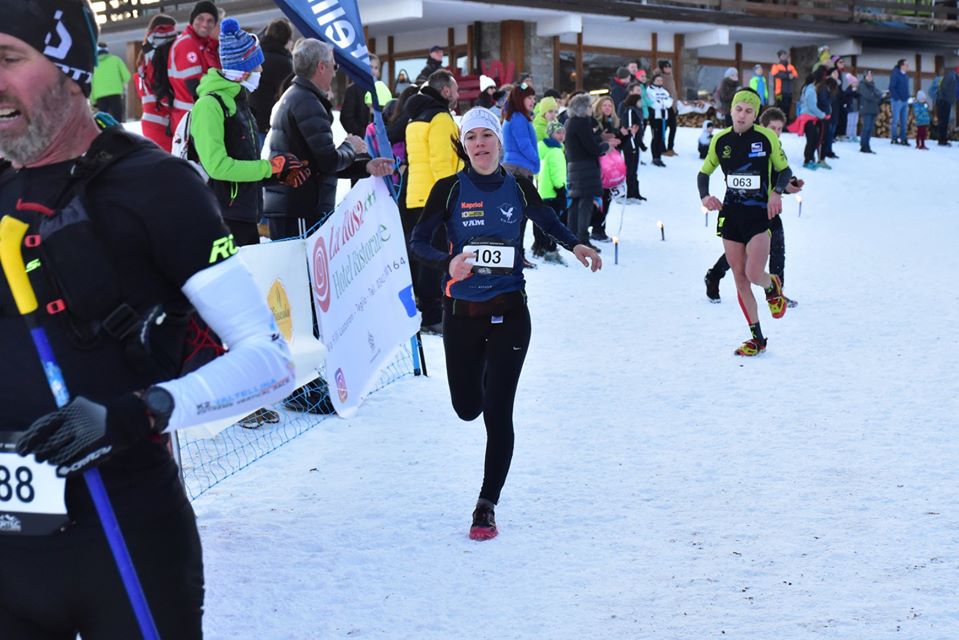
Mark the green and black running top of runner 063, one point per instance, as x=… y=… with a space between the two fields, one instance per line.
x=748 y=161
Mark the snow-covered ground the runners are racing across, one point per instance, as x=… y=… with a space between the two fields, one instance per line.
x=661 y=487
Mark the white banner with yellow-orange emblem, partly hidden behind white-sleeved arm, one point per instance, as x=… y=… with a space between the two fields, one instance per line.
x=280 y=272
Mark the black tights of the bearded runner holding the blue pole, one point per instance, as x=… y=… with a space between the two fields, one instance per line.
x=54 y=591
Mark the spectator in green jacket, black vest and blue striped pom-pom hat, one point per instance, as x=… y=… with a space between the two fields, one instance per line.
x=224 y=134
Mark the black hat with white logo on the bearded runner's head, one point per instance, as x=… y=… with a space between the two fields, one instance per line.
x=65 y=31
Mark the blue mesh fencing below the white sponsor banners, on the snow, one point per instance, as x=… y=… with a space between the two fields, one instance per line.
x=205 y=462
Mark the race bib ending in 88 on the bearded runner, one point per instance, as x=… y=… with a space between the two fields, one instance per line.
x=31 y=494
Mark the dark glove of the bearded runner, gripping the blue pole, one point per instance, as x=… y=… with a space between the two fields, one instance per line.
x=83 y=433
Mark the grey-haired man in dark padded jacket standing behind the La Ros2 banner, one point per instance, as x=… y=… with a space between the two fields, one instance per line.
x=303 y=121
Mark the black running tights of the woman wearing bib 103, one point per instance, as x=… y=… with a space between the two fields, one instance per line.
x=483 y=363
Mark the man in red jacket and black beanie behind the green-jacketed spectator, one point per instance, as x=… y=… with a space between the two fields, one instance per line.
x=193 y=53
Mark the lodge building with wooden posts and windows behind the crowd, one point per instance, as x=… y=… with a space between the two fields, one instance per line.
x=567 y=44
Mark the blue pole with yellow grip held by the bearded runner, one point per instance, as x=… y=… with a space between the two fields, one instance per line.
x=12 y=233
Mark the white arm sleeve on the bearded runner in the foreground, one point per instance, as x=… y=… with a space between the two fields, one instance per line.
x=257 y=370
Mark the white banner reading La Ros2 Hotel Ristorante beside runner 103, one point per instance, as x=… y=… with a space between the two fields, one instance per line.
x=362 y=290
